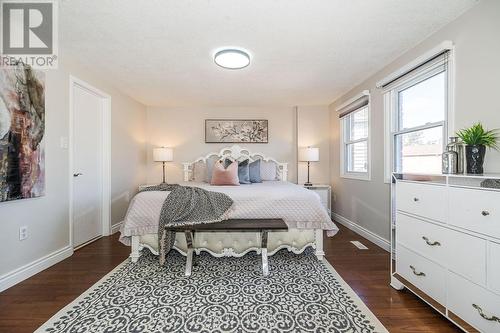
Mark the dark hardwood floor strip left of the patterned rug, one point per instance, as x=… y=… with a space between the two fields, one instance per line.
x=26 y=306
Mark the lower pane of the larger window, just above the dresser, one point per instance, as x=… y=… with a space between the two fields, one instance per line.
x=420 y=151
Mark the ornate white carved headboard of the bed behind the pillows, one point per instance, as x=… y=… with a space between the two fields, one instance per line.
x=240 y=154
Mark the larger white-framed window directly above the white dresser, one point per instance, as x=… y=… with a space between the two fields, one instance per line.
x=416 y=111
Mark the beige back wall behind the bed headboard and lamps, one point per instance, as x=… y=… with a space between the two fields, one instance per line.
x=183 y=129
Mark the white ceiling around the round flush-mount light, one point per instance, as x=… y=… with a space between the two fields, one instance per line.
x=304 y=52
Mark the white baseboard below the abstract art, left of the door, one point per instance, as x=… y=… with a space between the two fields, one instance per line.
x=34 y=267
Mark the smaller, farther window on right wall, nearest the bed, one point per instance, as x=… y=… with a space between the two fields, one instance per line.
x=355 y=130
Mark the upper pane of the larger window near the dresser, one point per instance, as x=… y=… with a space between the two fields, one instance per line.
x=423 y=103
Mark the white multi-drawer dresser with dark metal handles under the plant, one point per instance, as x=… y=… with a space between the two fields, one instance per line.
x=446 y=246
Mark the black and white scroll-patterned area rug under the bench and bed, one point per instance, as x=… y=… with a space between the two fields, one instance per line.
x=301 y=294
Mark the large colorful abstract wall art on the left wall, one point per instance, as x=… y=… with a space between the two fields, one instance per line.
x=22 y=129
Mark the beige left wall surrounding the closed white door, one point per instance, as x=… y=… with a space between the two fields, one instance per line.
x=47 y=217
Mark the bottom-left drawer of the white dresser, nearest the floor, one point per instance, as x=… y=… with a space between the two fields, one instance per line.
x=422 y=273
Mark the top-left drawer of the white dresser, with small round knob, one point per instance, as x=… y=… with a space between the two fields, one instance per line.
x=422 y=199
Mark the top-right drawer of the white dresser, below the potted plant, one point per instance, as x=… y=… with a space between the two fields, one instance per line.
x=475 y=210
